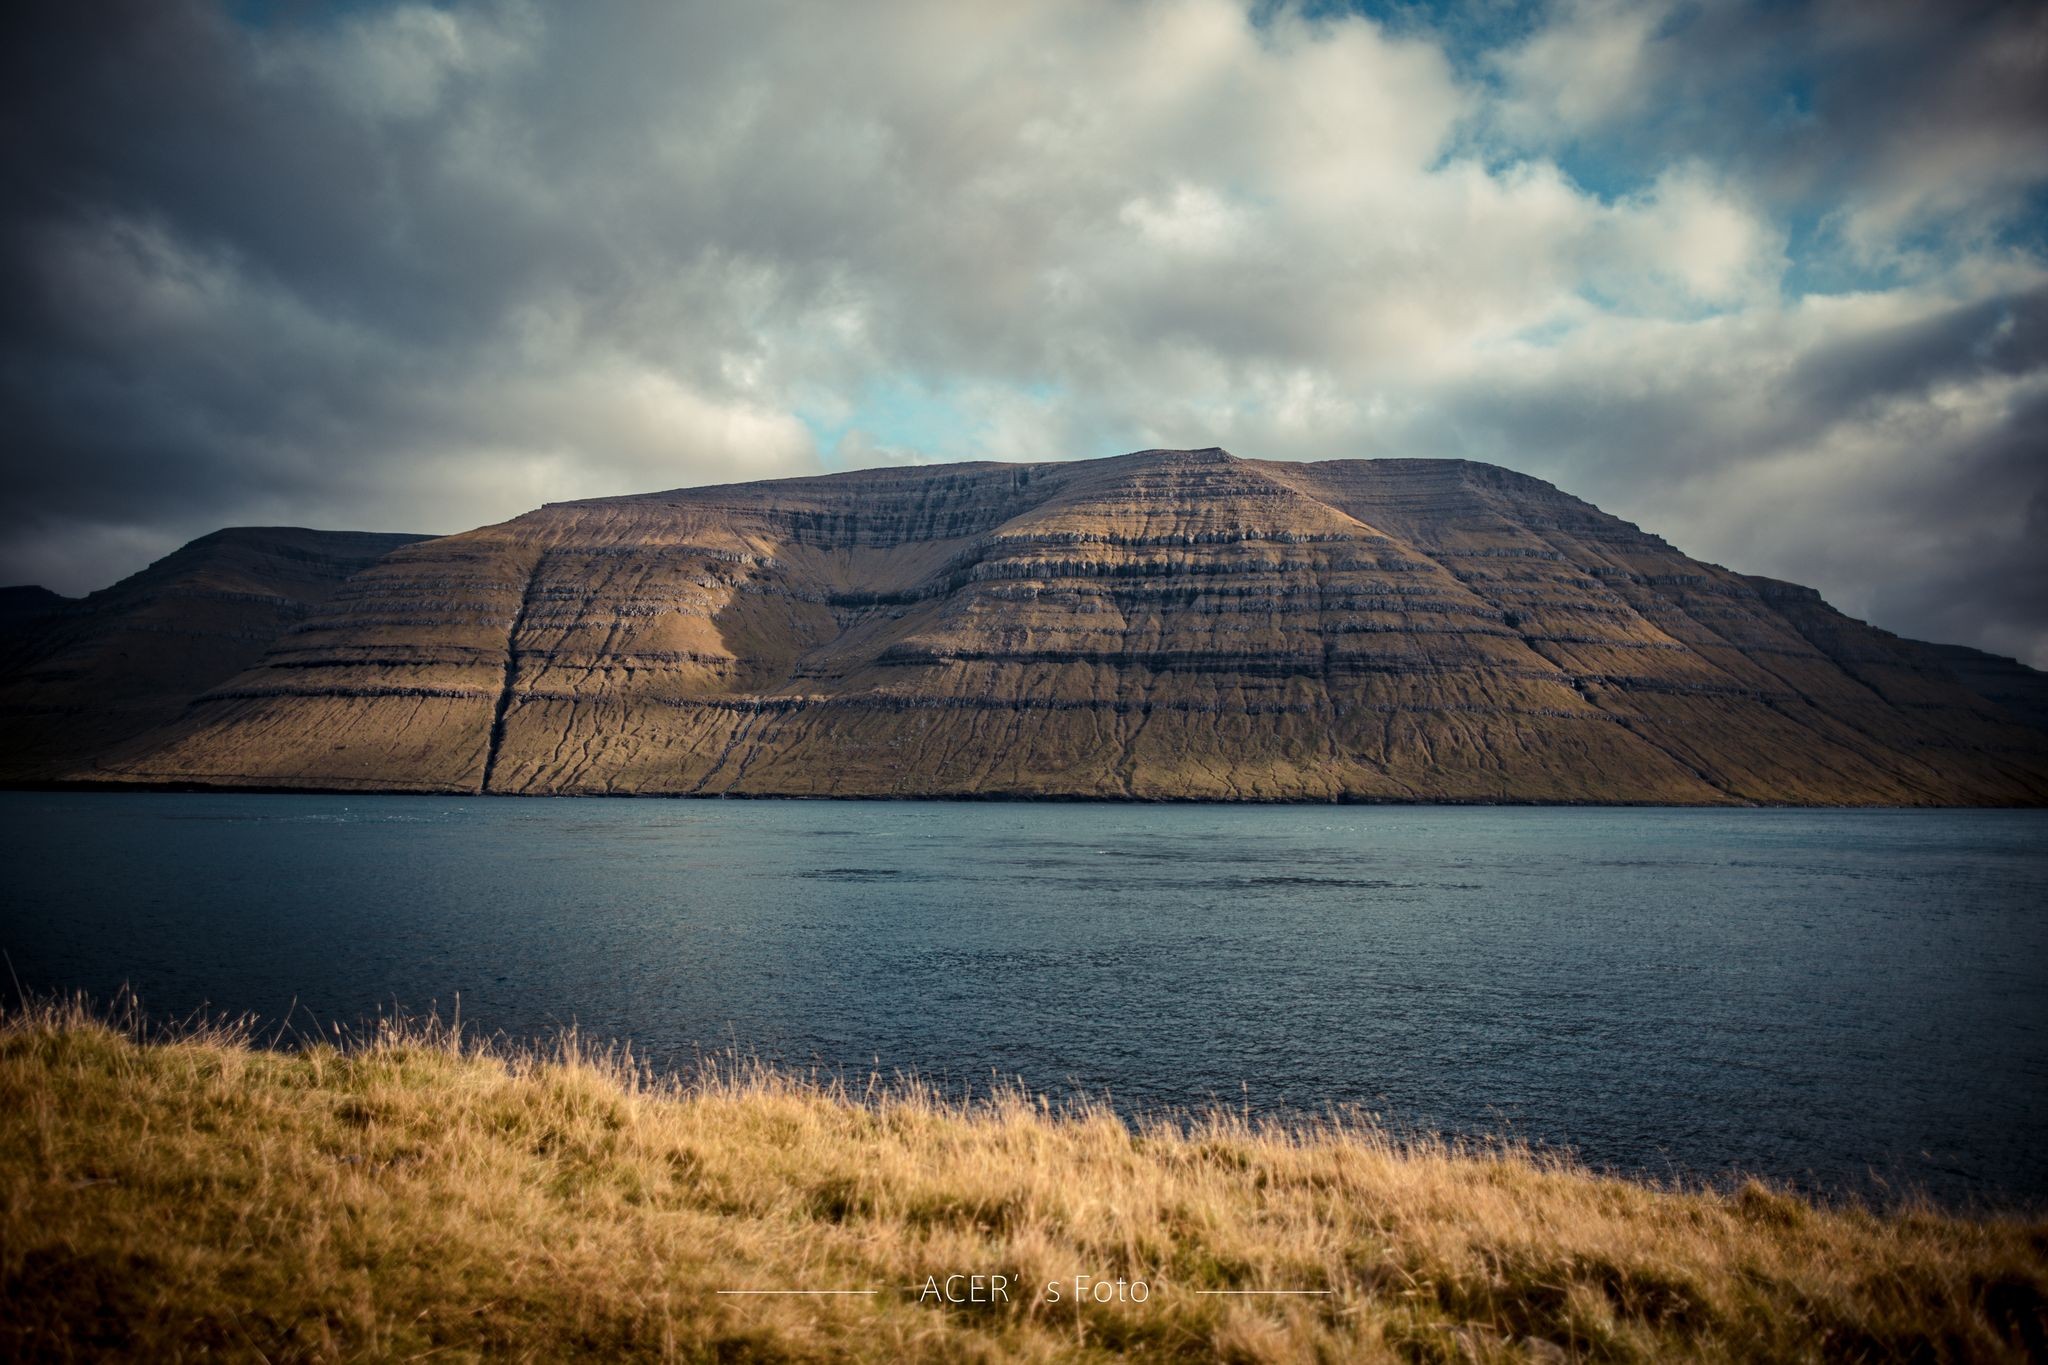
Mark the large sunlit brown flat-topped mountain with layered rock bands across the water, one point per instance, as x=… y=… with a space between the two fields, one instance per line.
x=1162 y=625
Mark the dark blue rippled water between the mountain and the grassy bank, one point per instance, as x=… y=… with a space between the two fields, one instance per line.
x=1844 y=1000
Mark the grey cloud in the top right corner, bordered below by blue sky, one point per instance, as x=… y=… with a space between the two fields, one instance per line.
x=1885 y=118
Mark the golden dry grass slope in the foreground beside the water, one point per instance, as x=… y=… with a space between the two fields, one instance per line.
x=198 y=1196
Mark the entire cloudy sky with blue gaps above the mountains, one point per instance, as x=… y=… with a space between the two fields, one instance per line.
x=1768 y=279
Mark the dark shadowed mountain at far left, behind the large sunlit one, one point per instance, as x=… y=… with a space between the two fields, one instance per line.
x=83 y=674
